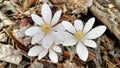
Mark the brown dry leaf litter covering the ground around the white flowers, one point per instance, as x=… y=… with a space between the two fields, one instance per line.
x=14 y=43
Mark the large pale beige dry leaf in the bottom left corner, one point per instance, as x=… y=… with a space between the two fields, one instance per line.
x=9 y=54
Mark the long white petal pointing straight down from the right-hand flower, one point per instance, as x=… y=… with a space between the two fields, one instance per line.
x=82 y=51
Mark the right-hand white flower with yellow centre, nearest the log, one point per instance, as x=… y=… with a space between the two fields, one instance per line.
x=82 y=36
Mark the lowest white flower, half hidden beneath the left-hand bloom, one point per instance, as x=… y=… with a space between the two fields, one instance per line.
x=41 y=52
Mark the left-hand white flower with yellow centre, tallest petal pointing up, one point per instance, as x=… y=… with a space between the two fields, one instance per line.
x=47 y=31
